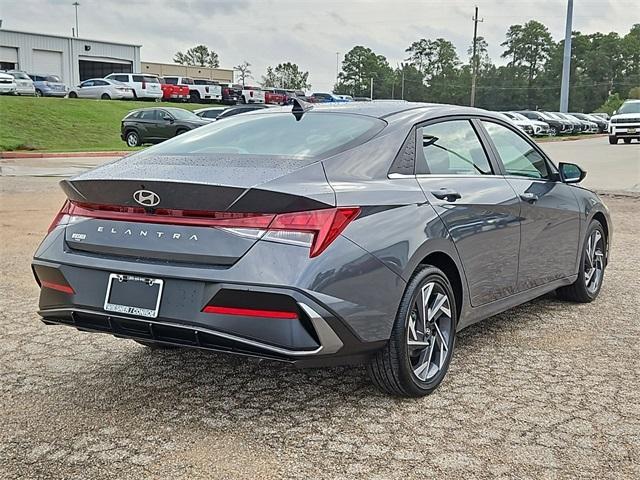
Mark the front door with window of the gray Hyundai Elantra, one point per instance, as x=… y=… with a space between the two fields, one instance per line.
x=550 y=226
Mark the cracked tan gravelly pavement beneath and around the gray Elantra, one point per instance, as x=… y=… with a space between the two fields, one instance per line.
x=547 y=390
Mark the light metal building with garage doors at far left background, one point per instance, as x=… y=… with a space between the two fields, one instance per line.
x=73 y=59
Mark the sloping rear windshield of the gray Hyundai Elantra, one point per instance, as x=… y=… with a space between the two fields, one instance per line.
x=278 y=134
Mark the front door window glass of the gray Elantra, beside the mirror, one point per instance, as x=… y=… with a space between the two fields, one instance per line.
x=518 y=156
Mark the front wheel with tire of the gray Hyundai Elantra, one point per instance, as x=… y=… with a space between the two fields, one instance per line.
x=592 y=265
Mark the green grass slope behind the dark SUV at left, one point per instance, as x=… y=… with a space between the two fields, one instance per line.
x=66 y=125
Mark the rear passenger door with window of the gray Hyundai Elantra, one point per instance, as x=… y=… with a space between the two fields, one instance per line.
x=476 y=203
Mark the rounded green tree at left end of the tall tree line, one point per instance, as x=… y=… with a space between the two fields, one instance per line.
x=359 y=66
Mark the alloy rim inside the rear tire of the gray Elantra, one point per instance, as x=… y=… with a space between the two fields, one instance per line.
x=429 y=331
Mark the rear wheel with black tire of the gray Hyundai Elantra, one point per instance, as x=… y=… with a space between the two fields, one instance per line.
x=416 y=359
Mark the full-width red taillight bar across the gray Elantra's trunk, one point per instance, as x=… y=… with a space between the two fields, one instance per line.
x=315 y=229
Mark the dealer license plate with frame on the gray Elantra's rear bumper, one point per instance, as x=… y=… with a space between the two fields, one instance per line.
x=133 y=295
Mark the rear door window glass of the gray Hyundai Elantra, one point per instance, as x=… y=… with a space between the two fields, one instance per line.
x=454 y=148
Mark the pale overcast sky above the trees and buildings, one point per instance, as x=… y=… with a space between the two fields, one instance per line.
x=307 y=32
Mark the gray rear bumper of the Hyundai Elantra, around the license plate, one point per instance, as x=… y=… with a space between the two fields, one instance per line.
x=337 y=320
